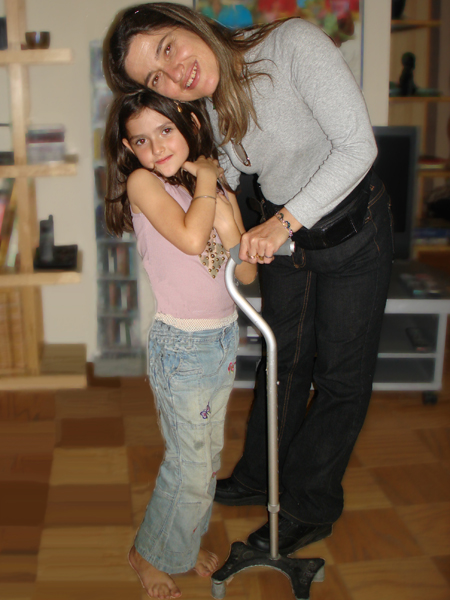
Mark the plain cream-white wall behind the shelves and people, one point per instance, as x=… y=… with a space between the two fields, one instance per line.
x=61 y=94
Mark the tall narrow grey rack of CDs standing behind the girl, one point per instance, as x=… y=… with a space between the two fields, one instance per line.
x=119 y=346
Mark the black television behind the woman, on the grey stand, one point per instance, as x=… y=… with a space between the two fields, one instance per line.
x=396 y=165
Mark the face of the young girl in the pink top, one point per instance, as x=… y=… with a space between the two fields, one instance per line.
x=156 y=142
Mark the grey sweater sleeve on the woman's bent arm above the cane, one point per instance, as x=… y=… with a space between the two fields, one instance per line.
x=321 y=77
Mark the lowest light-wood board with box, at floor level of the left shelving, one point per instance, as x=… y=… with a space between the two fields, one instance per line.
x=63 y=366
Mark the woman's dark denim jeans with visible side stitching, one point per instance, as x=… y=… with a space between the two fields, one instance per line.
x=325 y=308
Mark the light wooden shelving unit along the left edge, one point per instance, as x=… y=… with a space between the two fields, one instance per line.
x=44 y=366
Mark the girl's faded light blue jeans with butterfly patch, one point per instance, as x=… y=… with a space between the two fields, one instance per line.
x=192 y=375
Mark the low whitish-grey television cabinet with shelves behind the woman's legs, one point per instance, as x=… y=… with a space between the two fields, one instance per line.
x=400 y=366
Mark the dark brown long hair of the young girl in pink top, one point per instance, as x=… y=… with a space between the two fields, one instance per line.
x=121 y=162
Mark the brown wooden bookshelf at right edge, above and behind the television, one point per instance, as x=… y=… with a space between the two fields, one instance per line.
x=418 y=32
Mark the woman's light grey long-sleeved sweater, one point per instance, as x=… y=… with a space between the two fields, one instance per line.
x=314 y=142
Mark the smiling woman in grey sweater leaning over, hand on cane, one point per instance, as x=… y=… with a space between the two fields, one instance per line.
x=284 y=105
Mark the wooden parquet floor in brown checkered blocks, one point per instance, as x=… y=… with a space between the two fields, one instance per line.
x=77 y=469
